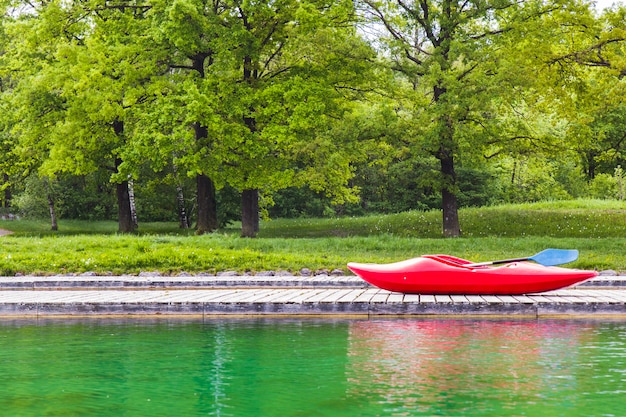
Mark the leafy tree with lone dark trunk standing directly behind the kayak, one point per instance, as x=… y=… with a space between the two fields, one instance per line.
x=450 y=52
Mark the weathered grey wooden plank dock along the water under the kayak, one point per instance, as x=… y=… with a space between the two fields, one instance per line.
x=285 y=296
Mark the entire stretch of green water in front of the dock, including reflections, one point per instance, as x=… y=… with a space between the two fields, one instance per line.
x=312 y=368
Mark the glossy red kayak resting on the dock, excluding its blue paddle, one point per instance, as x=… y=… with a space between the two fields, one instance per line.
x=443 y=274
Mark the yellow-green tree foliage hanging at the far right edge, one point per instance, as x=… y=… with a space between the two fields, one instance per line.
x=596 y=67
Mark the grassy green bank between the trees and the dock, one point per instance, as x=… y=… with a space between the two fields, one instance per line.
x=596 y=228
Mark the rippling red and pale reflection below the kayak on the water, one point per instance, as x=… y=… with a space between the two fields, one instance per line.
x=459 y=367
